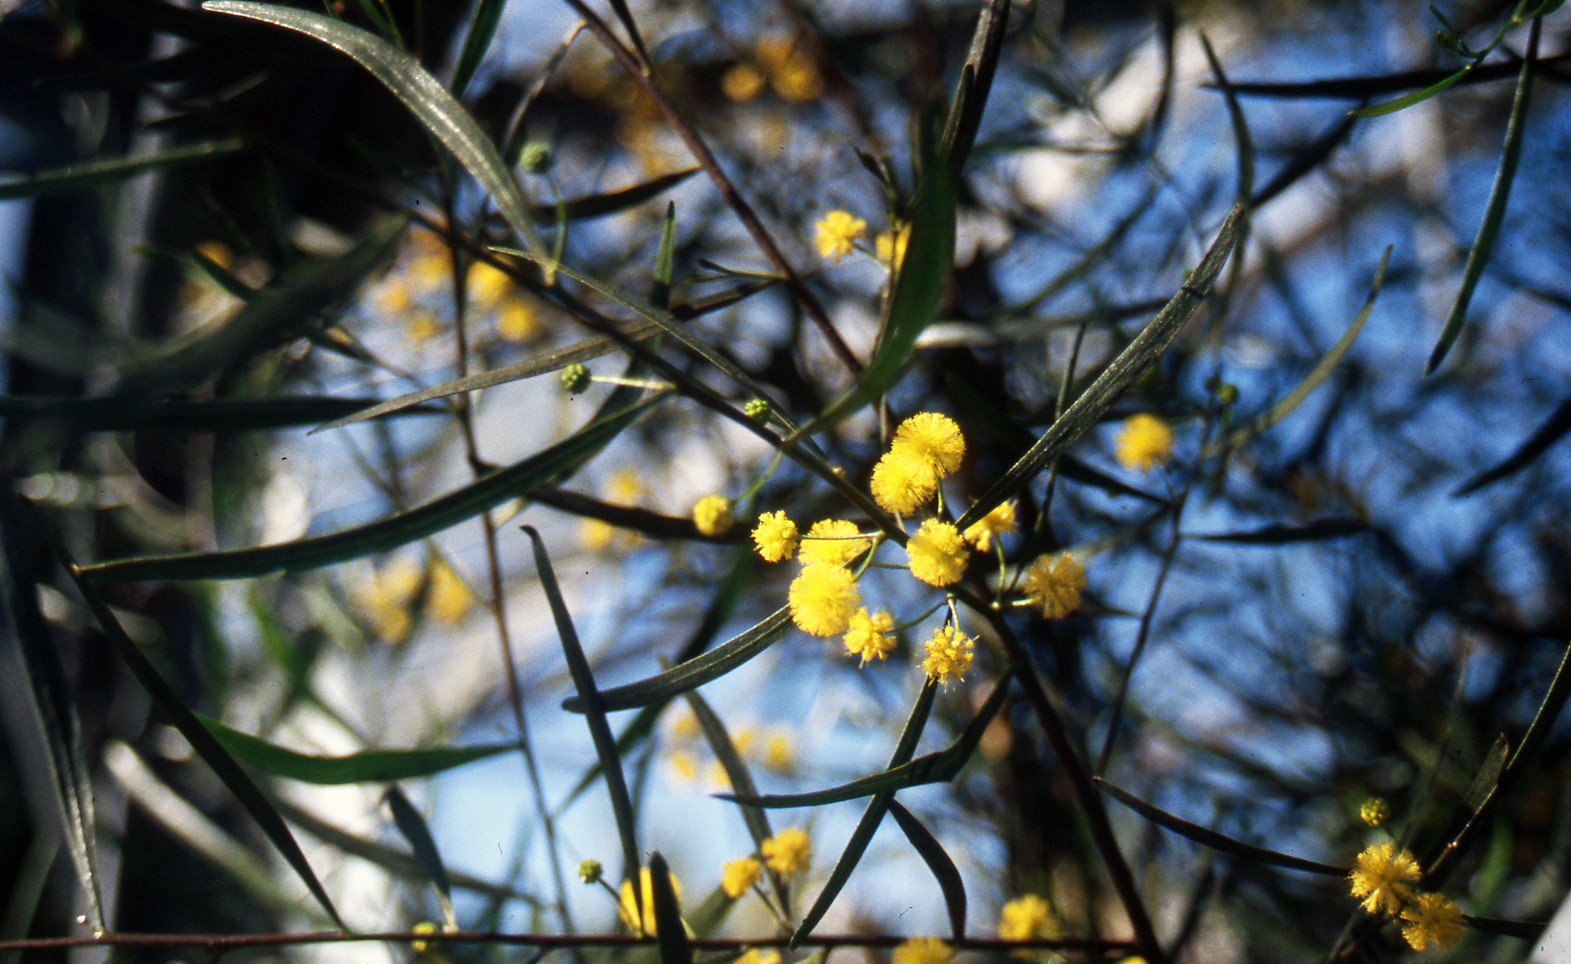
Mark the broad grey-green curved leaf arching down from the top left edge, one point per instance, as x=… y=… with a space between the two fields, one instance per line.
x=422 y=93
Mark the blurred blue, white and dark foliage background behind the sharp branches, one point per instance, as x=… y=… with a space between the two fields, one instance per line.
x=235 y=233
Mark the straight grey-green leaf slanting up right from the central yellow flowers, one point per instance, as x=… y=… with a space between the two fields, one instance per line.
x=1119 y=374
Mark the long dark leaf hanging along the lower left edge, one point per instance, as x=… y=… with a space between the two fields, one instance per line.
x=53 y=703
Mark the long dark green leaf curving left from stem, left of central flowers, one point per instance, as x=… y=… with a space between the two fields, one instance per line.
x=543 y=469
